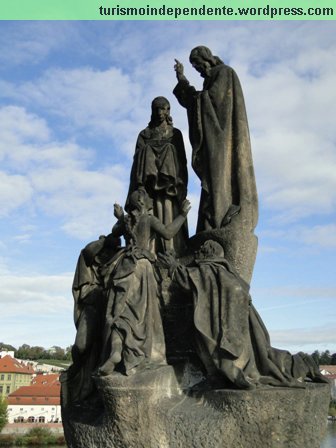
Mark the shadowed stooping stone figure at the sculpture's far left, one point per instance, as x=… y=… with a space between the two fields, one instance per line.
x=89 y=314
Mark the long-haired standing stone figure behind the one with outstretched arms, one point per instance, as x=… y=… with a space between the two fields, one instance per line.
x=160 y=167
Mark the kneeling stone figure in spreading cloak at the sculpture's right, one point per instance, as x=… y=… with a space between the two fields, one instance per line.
x=230 y=337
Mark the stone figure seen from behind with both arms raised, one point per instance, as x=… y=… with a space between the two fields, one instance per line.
x=133 y=336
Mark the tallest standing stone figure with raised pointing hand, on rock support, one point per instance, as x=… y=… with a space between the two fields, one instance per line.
x=222 y=159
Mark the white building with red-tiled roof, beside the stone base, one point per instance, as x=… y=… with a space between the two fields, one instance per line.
x=38 y=403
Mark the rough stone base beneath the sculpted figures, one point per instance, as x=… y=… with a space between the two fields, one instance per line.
x=154 y=409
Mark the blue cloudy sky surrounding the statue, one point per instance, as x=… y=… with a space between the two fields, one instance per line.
x=74 y=96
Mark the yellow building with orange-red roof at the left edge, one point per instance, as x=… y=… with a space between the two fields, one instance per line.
x=13 y=374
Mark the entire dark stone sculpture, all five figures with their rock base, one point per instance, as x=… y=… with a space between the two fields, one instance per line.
x=170 y=351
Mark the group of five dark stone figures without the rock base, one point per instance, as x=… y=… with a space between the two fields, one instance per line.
x=125 y=295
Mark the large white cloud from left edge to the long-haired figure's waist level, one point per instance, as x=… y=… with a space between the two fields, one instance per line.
x=56 y=177
